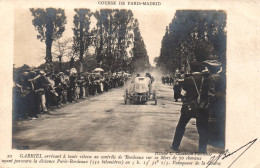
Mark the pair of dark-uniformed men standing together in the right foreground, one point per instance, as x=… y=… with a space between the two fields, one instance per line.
x=204 y=99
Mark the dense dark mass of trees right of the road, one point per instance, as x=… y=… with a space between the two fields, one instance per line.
x=193 y=35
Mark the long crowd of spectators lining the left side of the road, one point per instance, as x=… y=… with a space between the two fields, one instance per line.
x=34 y=92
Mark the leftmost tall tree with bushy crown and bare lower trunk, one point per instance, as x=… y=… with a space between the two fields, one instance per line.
x=50 y=24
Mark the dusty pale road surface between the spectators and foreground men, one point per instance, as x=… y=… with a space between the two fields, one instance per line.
x=105 y=123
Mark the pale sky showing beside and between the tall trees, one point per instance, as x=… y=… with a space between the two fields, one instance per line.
x=29 y=50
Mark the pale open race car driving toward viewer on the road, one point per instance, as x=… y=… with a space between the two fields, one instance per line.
x=140 y=90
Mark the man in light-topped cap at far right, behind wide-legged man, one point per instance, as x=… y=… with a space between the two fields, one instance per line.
x=216 y=103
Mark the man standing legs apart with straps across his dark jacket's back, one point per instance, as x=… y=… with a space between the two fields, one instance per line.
x=188 y=112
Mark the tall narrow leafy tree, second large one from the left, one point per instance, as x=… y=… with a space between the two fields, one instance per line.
x=82 y=34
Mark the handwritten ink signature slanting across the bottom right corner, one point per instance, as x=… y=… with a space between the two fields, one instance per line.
x=223 y=155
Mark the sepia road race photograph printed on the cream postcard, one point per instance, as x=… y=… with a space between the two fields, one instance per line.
x=94 y=86
